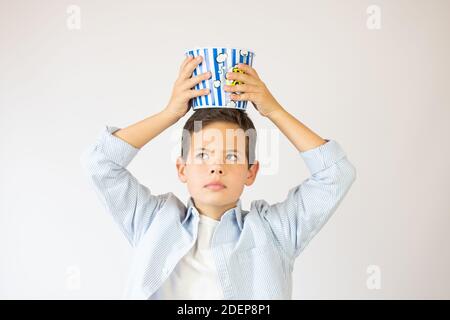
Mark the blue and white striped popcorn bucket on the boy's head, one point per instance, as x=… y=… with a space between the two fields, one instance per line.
x=218 y=60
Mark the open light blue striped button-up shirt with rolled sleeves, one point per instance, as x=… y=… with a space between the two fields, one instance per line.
x=254 y=251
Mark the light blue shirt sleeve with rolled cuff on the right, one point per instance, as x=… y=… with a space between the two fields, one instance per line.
x=309 y=205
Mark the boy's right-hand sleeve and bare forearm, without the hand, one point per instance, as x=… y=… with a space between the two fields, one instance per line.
x=309 y=205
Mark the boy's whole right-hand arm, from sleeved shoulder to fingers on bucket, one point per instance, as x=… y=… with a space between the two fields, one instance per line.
x=308 y=206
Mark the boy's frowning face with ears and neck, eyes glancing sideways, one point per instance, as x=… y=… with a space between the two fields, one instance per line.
x=222 y=159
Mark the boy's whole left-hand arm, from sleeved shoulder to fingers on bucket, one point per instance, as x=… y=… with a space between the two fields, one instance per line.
x=130 y=203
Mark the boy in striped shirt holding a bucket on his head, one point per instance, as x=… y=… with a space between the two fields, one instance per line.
x=212 y=248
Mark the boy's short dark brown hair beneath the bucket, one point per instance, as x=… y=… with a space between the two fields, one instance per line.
x=210 y=115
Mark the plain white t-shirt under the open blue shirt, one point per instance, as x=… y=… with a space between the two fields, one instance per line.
x=195 y=275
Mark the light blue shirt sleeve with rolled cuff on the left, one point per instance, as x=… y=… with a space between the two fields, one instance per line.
x=130 y=203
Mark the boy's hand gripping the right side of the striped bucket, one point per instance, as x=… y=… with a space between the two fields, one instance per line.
x=253 y=90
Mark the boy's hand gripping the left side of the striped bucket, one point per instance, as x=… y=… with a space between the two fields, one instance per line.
x=182 y=91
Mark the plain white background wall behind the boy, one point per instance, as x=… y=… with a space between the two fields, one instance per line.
x=383 y=94
